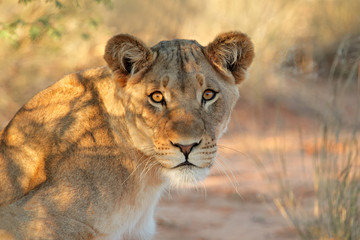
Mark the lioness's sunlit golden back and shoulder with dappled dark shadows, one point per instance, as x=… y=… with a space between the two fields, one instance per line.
x=68 y=113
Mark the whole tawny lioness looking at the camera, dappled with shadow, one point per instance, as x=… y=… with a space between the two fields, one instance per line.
x=88 y=157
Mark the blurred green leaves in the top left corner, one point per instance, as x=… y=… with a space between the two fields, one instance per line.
x=43 y=18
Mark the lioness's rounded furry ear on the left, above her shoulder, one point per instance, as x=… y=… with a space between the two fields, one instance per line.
x=125 y=56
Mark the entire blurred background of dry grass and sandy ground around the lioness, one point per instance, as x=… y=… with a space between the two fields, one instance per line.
x=288 y=166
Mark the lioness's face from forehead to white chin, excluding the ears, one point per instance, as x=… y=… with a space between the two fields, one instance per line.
x=177 y=106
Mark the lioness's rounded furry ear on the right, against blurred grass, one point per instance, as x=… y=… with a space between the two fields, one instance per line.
x=232 y=51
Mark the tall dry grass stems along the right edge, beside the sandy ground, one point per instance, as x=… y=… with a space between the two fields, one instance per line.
x=335 y=207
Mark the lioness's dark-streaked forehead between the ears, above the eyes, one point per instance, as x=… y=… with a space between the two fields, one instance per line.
x=182 y=66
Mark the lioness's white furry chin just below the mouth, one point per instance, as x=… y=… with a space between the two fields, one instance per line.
x=185 y=176
